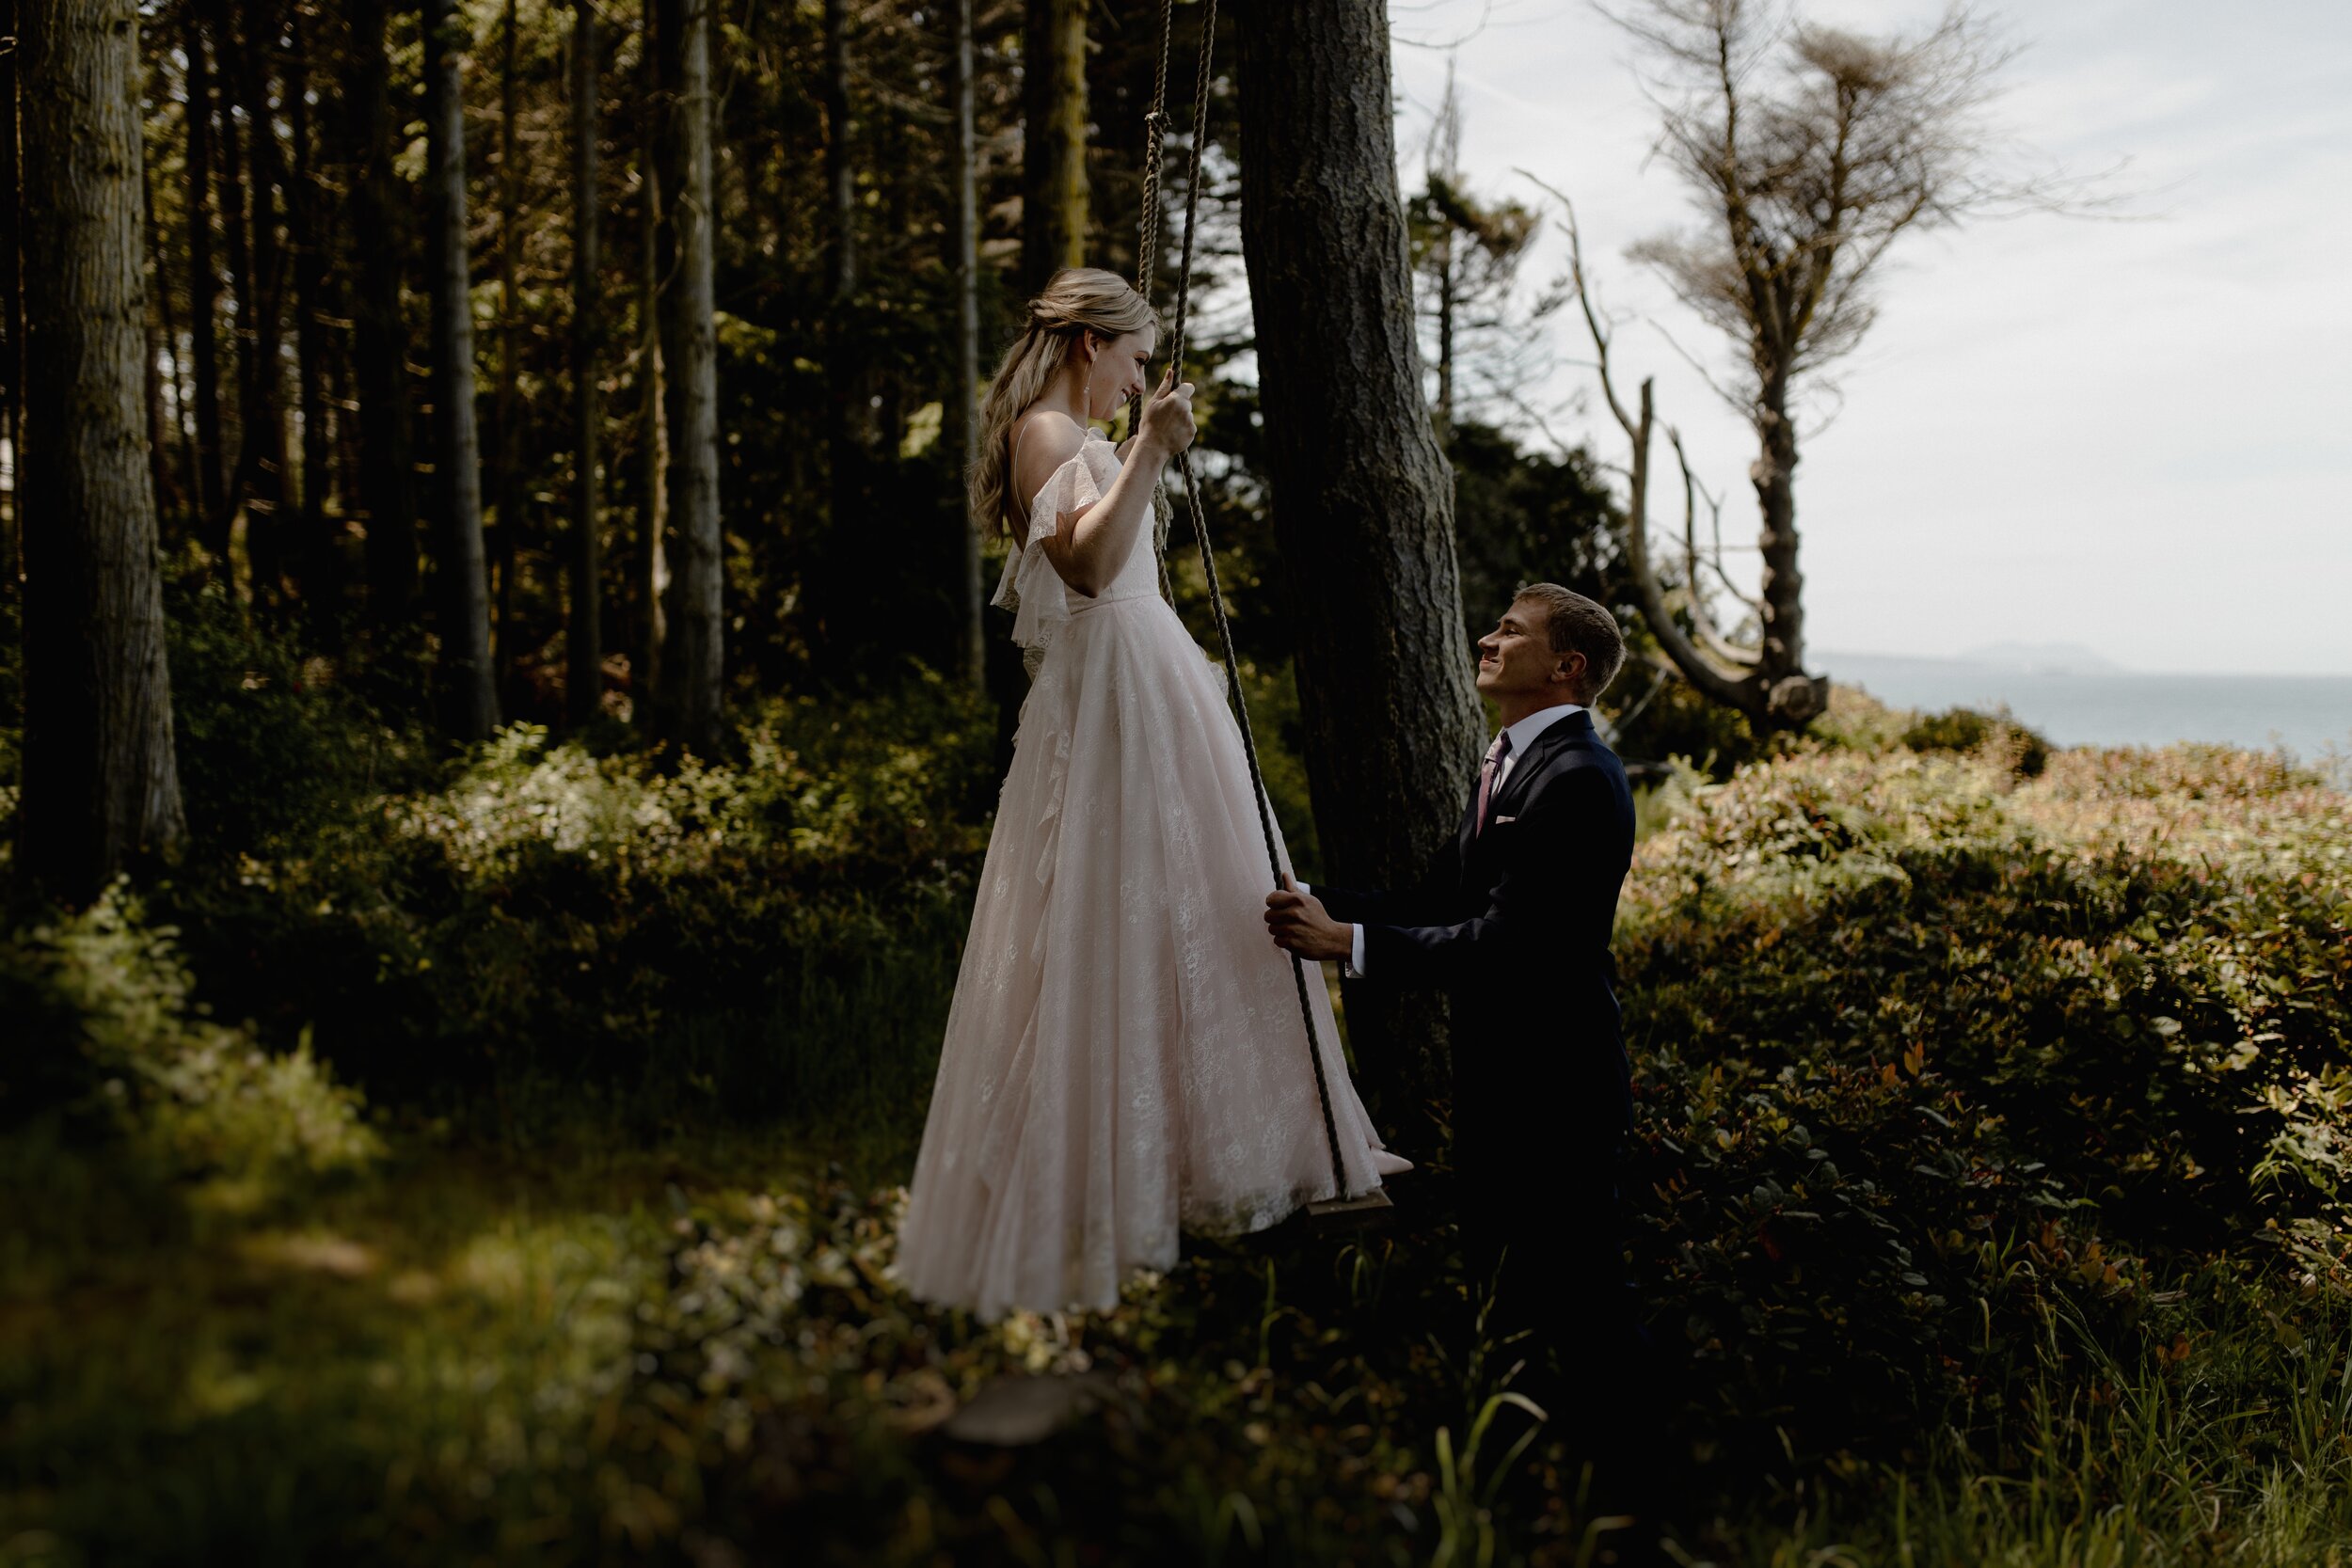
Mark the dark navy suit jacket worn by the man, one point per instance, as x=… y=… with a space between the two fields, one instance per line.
x=1514 y=923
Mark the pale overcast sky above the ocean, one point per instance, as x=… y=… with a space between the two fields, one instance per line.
x=2123 y=434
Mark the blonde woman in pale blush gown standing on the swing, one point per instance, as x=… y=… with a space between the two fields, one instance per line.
x=1125 y=1054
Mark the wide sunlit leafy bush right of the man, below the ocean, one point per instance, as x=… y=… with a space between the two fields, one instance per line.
x=1923 y=1045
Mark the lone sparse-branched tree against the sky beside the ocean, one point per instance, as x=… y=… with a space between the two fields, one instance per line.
x=1810 y=152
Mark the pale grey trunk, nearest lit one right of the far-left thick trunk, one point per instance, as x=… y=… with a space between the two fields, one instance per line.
x=469 y=699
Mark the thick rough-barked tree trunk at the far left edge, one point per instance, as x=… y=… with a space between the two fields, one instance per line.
x=100 y=777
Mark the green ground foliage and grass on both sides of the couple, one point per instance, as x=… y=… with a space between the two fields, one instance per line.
x=1989 y=1188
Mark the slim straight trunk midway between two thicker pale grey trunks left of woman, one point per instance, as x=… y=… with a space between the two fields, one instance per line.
x=584 y=634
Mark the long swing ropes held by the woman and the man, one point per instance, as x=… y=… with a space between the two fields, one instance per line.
x=1156 y=128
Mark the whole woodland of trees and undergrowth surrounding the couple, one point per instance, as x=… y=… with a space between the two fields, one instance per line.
x=500 y=730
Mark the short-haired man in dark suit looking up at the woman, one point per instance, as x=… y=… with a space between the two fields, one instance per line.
x=1514 y=923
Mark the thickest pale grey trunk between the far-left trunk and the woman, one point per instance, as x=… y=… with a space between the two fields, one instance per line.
x=693 y=664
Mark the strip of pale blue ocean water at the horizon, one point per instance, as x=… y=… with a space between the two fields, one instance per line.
x=2306 y=713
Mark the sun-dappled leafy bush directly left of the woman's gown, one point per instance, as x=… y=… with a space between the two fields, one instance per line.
x=669 y=937
